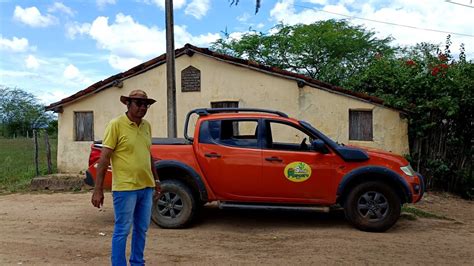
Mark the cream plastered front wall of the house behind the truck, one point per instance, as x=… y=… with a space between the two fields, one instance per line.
x=221 y=81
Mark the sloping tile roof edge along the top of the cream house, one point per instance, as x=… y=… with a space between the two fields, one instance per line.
x=189 y=49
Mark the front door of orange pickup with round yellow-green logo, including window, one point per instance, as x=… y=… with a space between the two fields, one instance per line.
x=290 y=170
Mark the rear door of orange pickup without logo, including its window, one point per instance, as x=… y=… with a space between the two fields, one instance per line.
x=230 y=156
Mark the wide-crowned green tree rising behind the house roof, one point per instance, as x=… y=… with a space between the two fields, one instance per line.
x=331 y=51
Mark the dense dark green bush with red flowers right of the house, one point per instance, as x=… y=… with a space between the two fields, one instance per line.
x=437 y=90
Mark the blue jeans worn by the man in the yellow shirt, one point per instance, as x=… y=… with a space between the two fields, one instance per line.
x=131 y=207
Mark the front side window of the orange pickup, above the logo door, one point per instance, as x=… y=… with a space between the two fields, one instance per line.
x=281 y=136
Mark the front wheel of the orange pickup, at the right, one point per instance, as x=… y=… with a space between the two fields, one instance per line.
x=372 y=206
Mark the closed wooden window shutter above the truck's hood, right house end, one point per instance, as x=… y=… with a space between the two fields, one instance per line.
x=360 y=125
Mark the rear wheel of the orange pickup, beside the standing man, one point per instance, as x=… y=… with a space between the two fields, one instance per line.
x=176 y=206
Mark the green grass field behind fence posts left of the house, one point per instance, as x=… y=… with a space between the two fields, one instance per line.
x=17 y=162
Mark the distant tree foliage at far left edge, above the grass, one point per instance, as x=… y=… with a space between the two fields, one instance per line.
x=21 y=112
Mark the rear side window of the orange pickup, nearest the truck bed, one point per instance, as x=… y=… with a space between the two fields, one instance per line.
x=239 y=133
